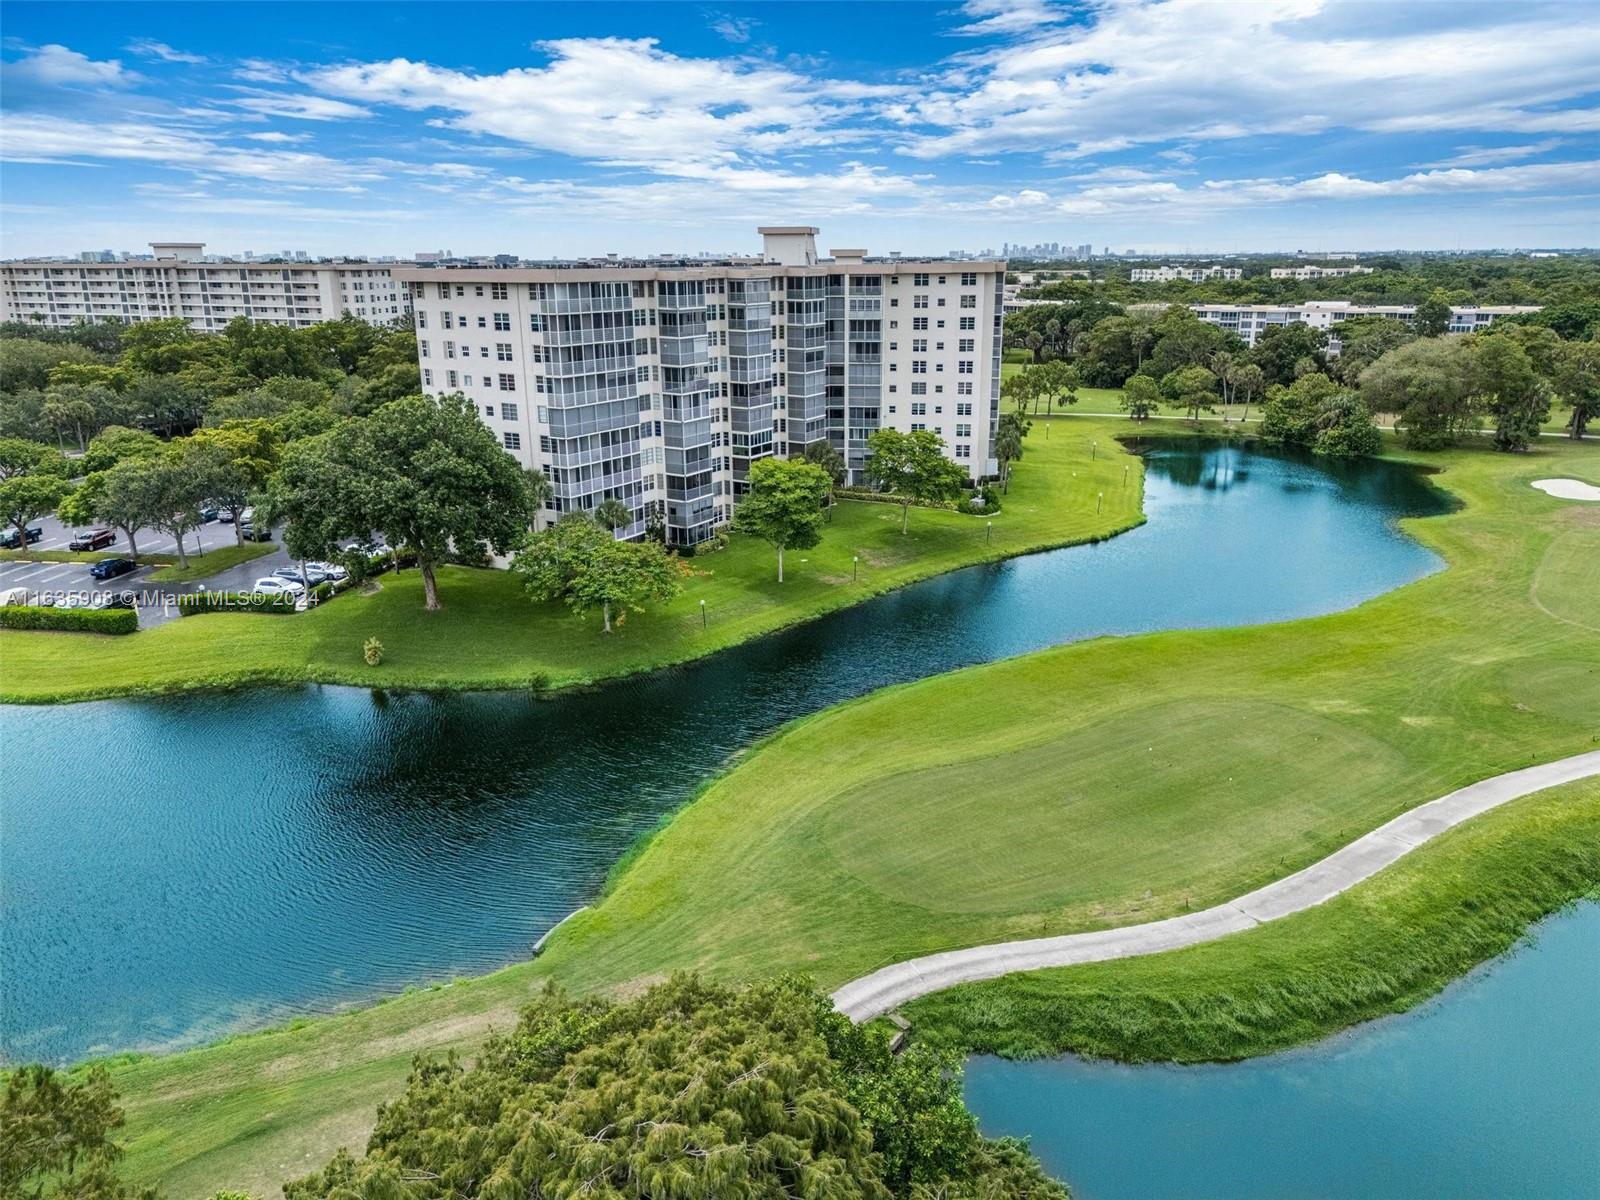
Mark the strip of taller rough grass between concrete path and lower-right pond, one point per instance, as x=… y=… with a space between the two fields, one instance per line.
x=1382 y=948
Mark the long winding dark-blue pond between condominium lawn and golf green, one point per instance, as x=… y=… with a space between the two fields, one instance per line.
x=183 y=868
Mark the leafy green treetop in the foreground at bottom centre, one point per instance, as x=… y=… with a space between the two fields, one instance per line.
x=690 y=1090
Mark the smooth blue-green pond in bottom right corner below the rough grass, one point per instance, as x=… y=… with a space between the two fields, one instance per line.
x=1490 y=1092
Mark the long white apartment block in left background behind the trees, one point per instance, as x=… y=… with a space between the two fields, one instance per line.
x=209 y=294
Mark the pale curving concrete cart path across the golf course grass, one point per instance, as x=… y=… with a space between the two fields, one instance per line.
x=892 y=986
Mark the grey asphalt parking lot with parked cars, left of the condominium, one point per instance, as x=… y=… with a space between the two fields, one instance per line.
x=158 y=602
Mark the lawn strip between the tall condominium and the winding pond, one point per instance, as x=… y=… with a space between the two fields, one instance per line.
x=490 y=636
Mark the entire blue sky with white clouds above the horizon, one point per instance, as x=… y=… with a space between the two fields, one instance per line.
x=574 y=129
